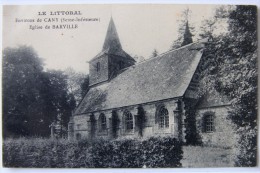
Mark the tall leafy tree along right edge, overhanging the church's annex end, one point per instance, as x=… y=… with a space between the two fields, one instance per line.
x=234 y=75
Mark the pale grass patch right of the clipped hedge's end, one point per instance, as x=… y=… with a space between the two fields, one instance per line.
x=198 y=157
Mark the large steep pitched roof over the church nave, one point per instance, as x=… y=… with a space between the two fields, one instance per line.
x=165 y=76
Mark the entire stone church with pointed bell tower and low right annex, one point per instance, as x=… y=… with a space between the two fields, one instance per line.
x=155 y=97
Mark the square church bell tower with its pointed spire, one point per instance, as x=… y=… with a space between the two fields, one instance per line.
x=111 y=60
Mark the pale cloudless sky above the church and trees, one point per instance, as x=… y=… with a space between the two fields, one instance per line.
x=141 y=29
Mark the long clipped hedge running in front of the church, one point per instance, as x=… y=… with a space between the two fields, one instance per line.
x=46 y=153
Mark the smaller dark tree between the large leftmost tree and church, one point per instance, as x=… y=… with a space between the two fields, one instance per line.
x=59 y=103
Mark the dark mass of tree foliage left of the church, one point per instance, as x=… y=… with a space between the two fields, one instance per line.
x=32 y=98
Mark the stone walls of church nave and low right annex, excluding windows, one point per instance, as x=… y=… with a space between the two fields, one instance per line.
x=222 y=135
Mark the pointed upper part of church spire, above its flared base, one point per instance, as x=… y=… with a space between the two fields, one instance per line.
x=112 y=42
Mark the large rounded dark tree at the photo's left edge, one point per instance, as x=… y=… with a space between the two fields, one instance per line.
x=22 y=69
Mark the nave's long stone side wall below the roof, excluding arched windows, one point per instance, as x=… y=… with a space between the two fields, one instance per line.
x=81 y=123
